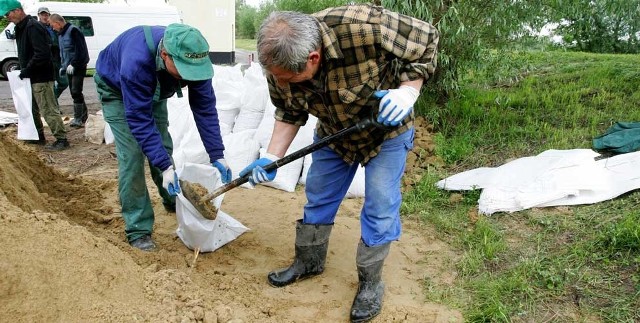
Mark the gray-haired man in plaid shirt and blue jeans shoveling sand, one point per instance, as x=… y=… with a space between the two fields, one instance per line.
x=343 y=65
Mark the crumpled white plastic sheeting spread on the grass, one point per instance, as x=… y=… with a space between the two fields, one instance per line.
x=552 y=178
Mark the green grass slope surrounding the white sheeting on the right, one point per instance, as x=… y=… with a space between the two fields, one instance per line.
x=570 y=264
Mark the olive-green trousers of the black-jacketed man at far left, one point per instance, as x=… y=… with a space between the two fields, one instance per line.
x=44 y=103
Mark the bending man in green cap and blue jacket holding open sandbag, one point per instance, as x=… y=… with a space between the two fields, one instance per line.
x=135 y=75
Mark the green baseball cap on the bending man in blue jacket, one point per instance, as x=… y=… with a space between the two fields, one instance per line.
x=189 y=51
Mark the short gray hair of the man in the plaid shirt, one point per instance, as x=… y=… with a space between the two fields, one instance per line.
x=285 y=40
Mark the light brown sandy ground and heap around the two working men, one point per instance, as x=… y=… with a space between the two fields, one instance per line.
x=64 y=257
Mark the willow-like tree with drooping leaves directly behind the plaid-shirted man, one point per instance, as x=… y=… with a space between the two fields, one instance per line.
x=468 y=30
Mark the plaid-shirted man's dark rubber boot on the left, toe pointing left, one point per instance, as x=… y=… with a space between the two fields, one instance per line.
x=312 y=242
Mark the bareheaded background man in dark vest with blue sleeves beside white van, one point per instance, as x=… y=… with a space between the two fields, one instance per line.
x=75 y=57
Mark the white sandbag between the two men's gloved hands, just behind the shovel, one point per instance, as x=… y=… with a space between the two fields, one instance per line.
x=240 y=151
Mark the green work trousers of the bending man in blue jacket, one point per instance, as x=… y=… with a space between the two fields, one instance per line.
x=132 y=188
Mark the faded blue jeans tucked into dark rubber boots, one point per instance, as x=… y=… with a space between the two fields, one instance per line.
x=329 y=178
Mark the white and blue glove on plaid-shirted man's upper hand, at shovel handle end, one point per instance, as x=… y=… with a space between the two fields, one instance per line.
x=396 y=104
